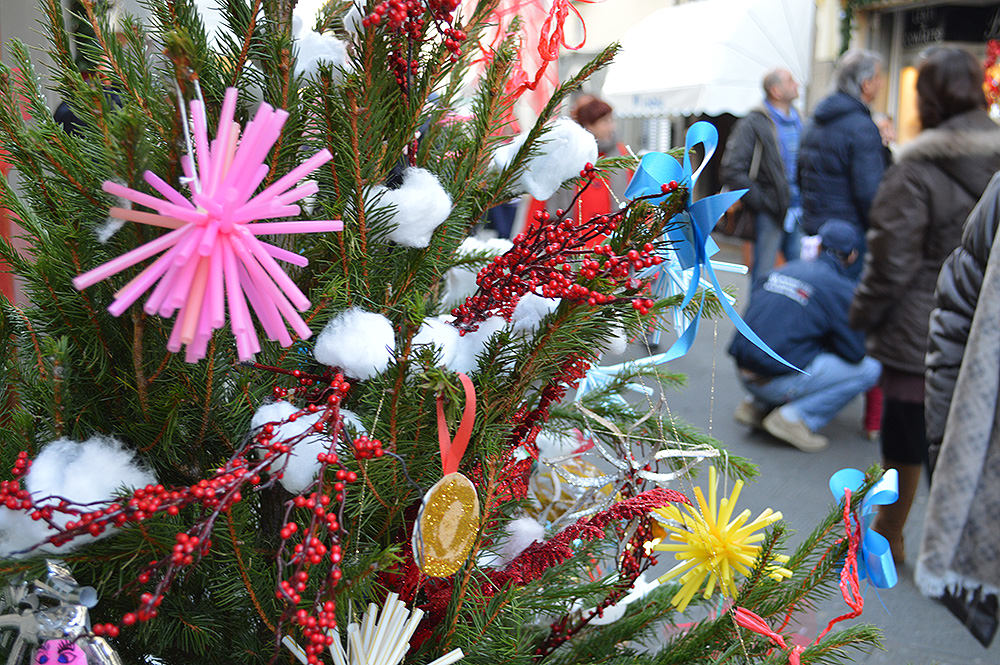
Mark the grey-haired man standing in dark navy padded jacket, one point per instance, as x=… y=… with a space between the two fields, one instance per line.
x=841 y=158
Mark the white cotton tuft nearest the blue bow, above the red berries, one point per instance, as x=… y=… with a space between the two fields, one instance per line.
x=567 y=148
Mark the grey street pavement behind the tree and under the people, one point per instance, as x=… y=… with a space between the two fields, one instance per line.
x=917 y=630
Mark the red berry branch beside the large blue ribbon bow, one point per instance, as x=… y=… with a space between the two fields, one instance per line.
x=552 y=260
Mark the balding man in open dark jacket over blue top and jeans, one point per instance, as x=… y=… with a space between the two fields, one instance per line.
x=761 y=156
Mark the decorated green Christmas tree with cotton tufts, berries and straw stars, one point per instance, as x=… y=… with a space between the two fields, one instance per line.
x=254 y=396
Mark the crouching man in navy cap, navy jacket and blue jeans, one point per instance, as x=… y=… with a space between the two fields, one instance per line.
x=800 y=311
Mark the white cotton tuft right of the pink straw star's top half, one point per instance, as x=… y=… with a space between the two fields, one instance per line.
x=420 y=205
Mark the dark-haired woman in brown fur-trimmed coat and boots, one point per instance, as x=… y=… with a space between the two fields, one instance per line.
x=915 y=223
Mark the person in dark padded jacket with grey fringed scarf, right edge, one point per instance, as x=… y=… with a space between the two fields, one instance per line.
x=959 y=557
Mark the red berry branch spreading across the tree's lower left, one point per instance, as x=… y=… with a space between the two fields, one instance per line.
x=310 y=542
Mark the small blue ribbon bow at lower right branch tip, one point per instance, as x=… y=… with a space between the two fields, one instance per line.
x=875 y=559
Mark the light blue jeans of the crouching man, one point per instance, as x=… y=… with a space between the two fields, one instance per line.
x=816 y=397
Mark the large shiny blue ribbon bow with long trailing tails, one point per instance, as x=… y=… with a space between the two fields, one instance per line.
x=689 y=236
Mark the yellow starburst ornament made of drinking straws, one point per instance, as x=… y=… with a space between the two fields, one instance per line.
x=708 y=544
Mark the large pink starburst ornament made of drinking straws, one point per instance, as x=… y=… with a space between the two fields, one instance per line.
x=212 y=257
